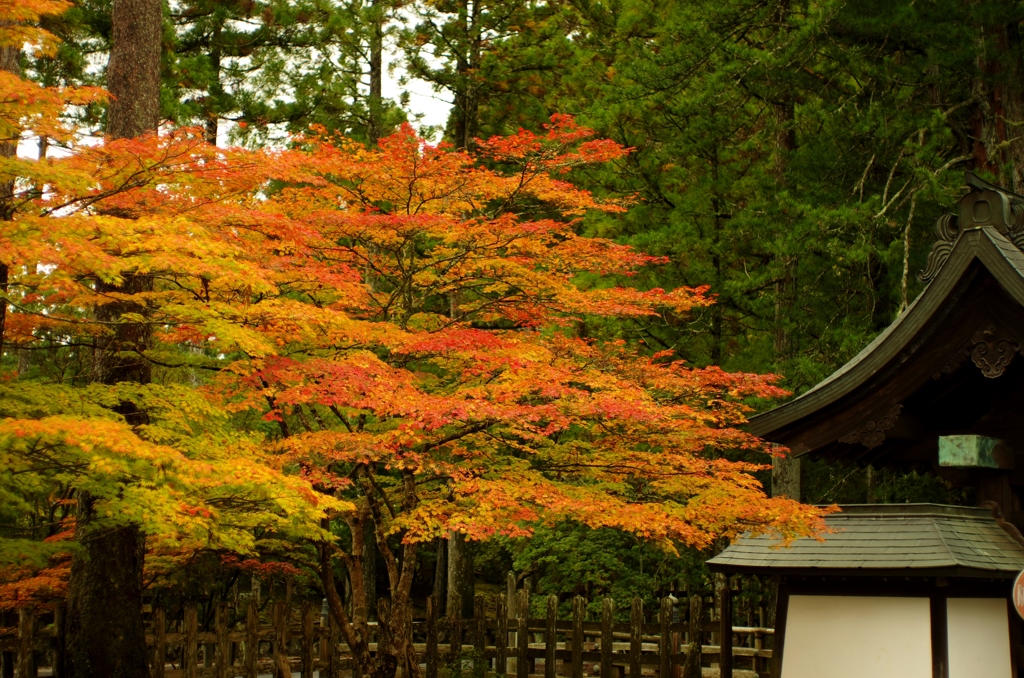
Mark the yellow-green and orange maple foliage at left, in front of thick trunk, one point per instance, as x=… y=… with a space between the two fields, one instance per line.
x=154 y=456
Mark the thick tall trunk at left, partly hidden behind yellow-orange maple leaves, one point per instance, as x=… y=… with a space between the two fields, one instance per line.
x=106 y=635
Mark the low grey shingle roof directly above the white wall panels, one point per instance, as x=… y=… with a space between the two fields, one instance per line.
x=916 y=540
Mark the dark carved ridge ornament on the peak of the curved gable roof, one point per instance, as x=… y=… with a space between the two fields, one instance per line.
x=985 y=205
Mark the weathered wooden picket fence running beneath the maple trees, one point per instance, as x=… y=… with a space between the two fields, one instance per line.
x=501 y=641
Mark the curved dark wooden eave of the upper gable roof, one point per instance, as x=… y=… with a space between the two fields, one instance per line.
x=982 y=281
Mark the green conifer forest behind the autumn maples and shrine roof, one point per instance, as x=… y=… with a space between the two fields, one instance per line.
x=791 y=156
